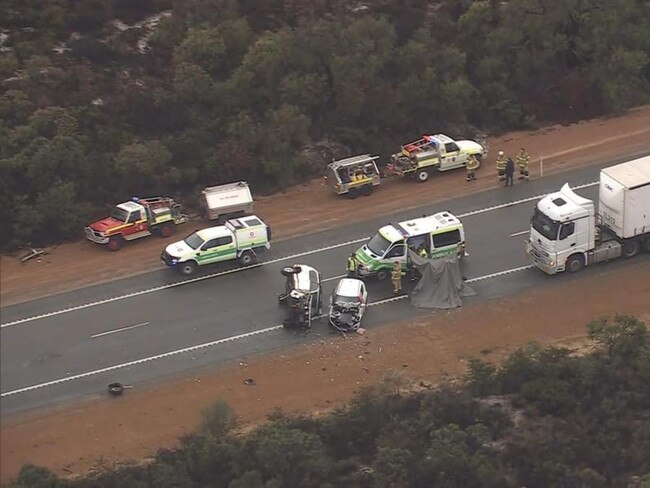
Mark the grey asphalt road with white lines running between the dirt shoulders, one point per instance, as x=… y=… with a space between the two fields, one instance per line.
x=151 y=327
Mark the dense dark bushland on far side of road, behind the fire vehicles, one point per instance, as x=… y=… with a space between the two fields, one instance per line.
x=104 y=99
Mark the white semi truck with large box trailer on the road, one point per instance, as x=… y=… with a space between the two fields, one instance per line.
x=567 y=234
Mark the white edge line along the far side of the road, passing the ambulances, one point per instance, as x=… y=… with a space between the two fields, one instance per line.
x=263 y=263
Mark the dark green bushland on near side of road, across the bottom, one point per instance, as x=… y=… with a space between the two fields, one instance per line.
x=545 y=417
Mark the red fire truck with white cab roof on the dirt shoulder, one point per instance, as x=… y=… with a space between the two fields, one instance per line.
x=137 y=218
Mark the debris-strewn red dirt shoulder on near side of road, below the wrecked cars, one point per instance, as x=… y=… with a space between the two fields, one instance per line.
x=321 y=375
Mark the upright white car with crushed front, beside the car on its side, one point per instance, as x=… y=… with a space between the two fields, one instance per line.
x=348 y=304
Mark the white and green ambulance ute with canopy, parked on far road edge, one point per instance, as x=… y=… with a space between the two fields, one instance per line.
x=237 y=239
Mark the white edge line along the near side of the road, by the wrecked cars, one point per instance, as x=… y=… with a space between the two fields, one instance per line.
x=219 y=342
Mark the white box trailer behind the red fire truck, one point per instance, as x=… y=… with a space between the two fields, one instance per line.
x=227 y=201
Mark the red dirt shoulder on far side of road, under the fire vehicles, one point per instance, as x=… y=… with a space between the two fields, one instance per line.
x=313 y=207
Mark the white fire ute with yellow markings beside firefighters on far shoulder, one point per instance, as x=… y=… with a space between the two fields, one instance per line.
x=434 y=153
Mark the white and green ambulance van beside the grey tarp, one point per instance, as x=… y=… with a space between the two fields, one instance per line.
x=439 y=234
